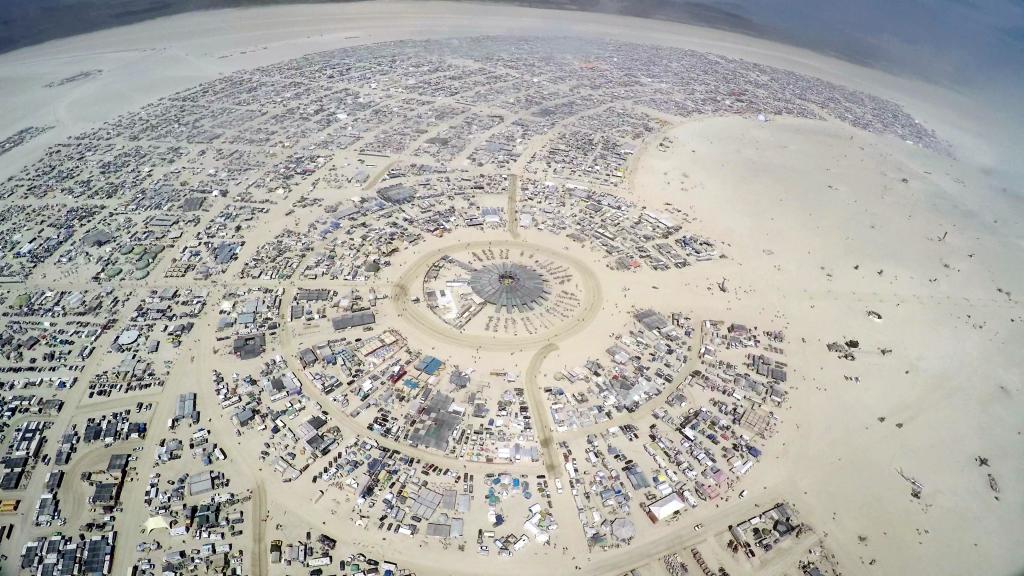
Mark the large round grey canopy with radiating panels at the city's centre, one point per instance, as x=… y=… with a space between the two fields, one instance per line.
x=509 y=286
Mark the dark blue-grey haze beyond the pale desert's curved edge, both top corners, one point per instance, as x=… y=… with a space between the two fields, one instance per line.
x=952 y=43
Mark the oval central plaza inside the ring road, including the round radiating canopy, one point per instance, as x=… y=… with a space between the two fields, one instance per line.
x=511 y=294
